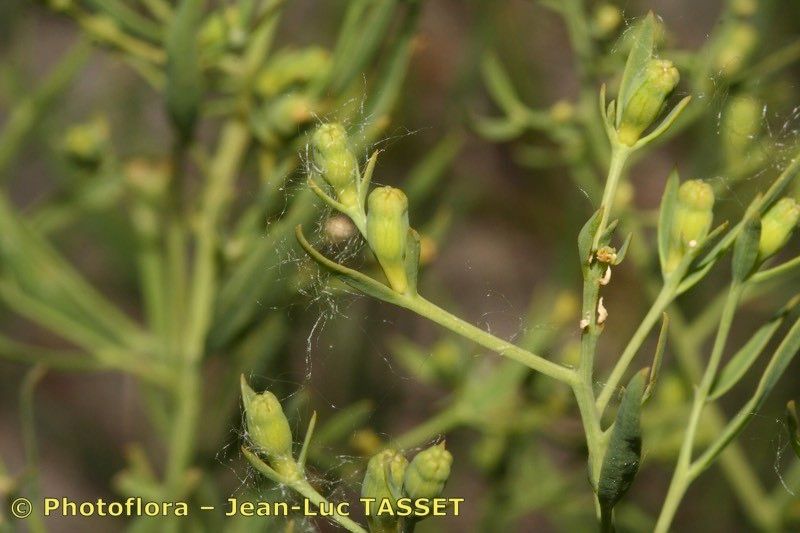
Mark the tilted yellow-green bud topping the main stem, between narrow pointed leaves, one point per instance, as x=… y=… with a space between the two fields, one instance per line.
x=647 y=99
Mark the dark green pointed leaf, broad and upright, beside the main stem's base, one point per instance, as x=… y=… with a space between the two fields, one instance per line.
x=621 y=462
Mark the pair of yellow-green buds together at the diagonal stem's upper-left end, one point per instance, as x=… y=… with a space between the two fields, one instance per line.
x=382 y=218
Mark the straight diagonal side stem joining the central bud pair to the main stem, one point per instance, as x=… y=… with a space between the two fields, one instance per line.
x=431 y=311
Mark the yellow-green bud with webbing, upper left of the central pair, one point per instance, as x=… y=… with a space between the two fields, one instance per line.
x=337 y=162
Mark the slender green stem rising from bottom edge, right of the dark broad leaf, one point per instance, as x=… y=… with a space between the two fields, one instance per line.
x=683 y=475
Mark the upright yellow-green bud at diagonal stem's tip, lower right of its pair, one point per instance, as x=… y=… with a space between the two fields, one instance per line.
x=387 y=233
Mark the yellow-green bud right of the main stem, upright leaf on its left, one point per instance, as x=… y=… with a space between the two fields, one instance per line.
x=691 y=221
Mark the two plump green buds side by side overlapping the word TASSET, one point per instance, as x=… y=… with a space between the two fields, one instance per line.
x=390 y=477
